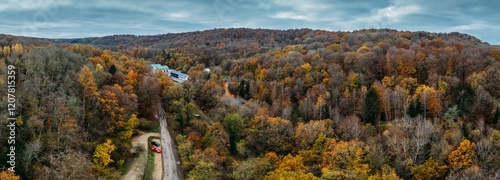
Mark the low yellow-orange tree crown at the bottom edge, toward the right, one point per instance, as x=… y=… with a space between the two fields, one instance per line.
x=429 y=170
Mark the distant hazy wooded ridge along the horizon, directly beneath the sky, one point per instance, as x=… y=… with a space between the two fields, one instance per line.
x=245 y=36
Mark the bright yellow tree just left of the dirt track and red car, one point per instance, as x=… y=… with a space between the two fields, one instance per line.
x=102 y=157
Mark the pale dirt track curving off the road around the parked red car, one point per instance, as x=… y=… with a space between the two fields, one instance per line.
x=138 y=165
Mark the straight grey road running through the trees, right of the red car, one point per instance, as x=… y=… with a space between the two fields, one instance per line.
x=171 y=163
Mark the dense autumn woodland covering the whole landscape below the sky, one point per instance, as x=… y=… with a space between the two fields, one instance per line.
x=303 y=104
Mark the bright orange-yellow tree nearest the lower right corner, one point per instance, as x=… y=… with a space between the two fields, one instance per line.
x=462 y=156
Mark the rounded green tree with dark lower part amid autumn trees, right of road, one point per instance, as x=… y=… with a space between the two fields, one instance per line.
x=234 y=125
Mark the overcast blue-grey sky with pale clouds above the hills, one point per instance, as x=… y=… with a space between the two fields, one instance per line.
x=88 y=18
